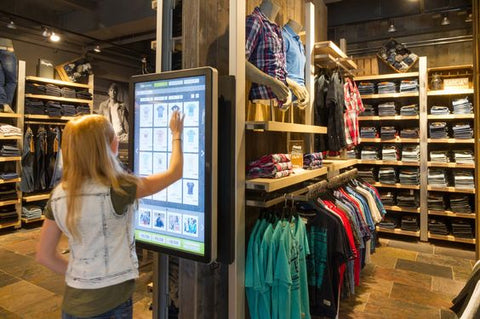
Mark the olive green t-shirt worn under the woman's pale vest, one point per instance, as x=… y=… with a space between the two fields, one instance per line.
x=91 y=302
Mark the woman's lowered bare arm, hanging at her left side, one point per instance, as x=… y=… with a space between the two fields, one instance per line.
x=47 y=253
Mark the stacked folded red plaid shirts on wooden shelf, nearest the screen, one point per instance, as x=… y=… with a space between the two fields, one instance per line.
x=270 y=166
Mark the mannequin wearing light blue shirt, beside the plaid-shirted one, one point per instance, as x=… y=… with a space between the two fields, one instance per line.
x=295 y=62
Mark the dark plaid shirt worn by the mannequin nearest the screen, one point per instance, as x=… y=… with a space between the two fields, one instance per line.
x=264 y=48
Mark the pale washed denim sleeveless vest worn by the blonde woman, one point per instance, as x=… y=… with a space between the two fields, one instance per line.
x=106 y=255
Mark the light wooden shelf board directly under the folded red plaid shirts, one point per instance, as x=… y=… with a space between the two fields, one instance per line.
x=272 y=184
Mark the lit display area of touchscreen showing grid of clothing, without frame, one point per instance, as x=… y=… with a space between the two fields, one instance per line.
x=173 y=218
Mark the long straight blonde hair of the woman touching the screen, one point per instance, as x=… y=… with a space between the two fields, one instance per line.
x=88 y=157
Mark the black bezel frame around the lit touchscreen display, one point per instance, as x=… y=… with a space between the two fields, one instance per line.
x=211 y=92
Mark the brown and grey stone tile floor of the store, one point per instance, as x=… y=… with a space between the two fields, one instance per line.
x=404 y=280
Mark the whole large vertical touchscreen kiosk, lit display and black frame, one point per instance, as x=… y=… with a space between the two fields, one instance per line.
x=181 y=219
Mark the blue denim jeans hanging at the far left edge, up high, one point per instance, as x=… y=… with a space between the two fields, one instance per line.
x=8 y=76
